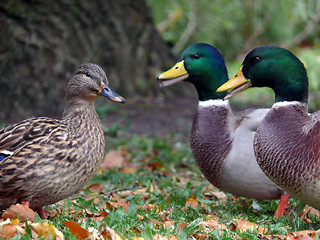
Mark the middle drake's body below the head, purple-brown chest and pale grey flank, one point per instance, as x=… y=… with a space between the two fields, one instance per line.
x=222 y=145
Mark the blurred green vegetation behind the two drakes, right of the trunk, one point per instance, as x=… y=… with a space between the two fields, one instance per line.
x=235 y=27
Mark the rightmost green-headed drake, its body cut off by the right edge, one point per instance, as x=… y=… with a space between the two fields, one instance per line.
x=287 y=142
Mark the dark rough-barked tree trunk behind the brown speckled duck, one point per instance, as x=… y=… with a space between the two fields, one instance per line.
x=42 y=43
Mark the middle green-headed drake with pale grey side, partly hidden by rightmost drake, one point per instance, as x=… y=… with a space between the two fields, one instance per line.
x=222 y=143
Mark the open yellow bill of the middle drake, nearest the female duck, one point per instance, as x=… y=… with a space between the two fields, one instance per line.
x=176 y=74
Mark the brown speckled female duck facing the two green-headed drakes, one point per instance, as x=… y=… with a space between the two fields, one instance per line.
x=44 y=160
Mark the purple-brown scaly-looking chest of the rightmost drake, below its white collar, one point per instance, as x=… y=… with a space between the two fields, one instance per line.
x=287 y=147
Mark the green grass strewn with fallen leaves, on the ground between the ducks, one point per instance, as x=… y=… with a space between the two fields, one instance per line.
x=168 y=199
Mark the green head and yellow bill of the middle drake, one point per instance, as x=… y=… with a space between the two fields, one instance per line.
x=202 y=65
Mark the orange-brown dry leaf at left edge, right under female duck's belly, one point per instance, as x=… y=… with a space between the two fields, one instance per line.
x=19 y=210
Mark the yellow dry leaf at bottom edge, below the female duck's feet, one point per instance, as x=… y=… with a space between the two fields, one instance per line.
x=47 y=231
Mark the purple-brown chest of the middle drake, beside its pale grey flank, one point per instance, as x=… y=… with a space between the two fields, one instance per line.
x=210 y=140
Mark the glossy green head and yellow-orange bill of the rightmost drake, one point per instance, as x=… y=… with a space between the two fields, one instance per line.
x=273 y=67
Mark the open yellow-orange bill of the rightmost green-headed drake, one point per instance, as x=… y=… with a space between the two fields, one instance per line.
x=235 y=85
